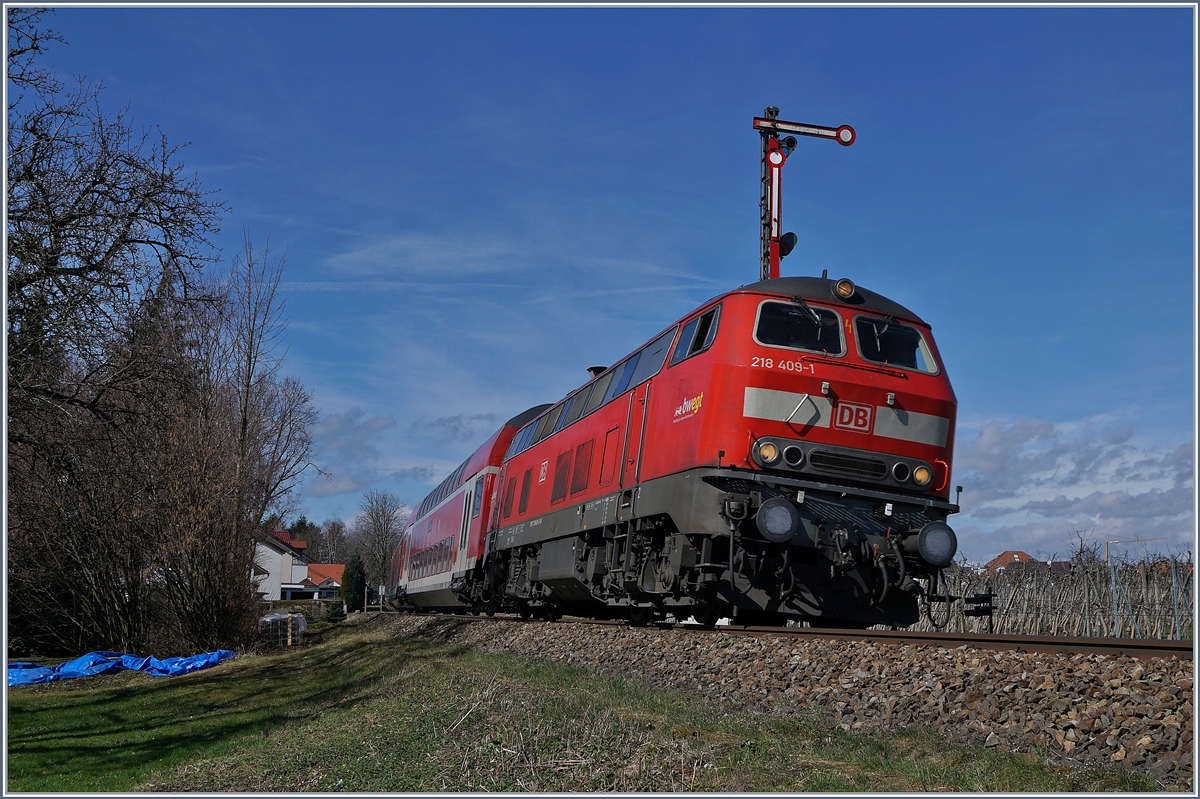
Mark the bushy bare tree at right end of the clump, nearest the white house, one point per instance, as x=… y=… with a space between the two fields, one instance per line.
x=248 y=443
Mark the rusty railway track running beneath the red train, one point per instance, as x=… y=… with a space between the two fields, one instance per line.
x=1141 y=648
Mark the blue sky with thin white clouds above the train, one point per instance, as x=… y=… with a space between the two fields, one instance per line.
x=478 y=205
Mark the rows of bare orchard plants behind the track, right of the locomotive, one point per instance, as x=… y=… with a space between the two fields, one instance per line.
x=1145 y=599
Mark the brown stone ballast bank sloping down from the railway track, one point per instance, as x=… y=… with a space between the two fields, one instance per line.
x=1084 y=710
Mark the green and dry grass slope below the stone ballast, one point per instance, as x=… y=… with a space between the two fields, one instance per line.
x=365 y=711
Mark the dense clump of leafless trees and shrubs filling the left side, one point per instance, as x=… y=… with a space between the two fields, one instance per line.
x=151 y=429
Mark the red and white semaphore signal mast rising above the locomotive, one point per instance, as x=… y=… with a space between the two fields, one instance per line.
x=775 y=157
